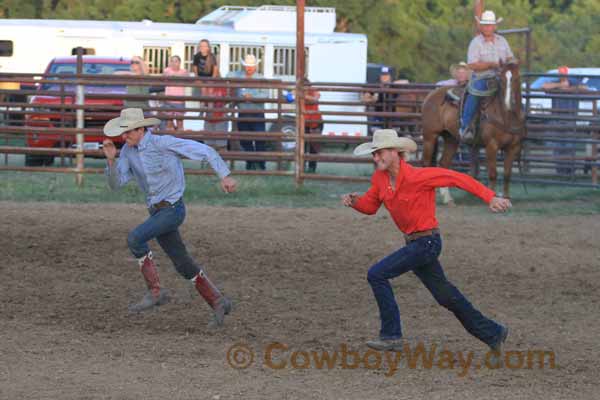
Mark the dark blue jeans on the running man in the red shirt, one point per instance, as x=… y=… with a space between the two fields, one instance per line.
x=421 y=257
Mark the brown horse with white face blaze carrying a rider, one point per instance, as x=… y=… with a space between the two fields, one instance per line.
x=501 y=127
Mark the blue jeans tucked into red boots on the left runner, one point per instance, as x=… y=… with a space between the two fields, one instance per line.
x=163 y=225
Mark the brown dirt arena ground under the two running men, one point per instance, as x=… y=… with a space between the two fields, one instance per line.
x=298 y=277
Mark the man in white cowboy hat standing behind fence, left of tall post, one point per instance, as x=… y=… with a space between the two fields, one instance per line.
x=249 y=109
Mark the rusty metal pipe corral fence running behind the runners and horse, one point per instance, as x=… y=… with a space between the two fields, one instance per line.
x=56 y=122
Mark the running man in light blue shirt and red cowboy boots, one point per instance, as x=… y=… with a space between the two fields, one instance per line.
x=154 y=162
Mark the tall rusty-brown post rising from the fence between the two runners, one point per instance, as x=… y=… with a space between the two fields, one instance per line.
x=299 y=92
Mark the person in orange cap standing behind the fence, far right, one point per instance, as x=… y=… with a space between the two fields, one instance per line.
x=563 y=107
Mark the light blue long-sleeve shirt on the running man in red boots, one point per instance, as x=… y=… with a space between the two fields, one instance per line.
x=155 y=163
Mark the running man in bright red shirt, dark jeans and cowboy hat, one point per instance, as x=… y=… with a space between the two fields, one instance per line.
x=408 y=193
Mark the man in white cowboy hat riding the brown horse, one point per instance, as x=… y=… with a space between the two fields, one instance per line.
x=487 y=51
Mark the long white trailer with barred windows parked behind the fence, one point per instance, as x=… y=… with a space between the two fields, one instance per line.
x=269 y=32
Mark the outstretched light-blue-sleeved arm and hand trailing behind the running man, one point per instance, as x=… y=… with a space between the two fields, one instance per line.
x=197 y=151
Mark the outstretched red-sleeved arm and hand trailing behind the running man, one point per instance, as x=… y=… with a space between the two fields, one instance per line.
x=441 y=177
